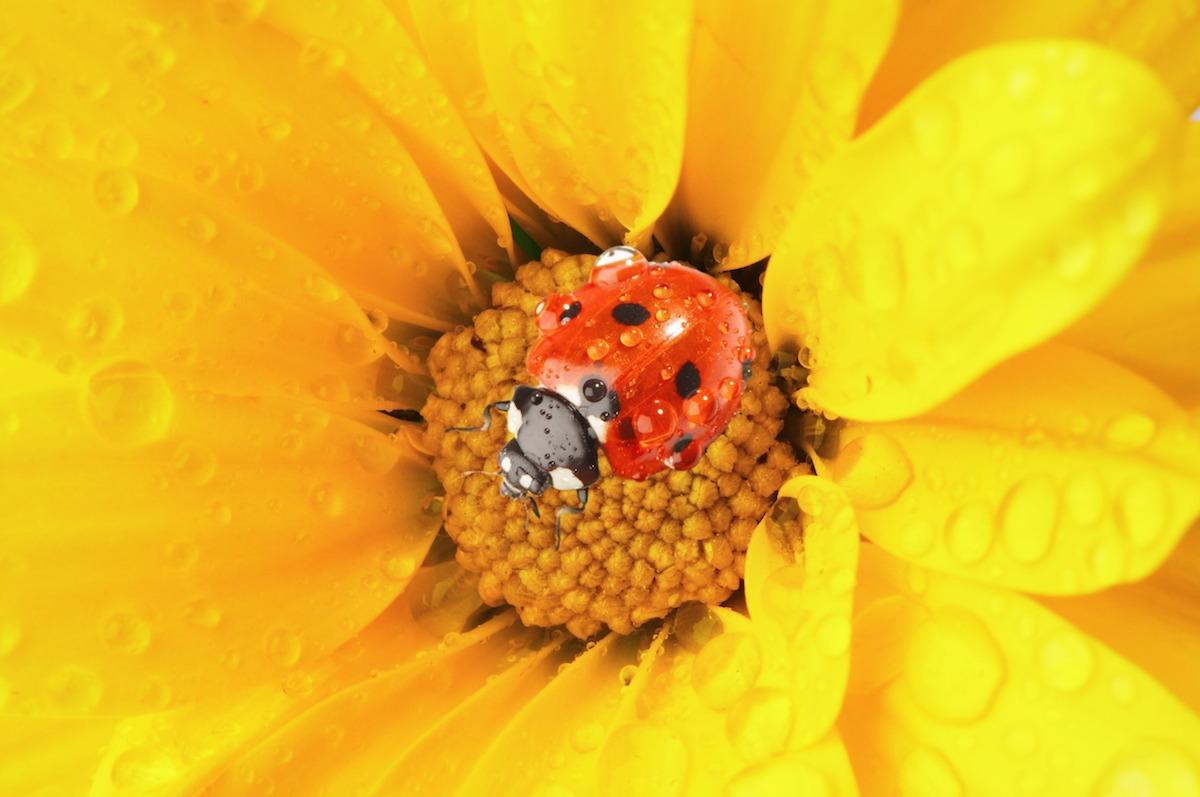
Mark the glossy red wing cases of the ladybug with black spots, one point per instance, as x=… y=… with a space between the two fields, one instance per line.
x=673 y=341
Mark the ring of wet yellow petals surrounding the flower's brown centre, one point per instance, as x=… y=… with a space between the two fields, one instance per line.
x=230 y=233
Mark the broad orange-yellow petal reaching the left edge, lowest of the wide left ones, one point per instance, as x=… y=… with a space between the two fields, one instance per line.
x=164 y=544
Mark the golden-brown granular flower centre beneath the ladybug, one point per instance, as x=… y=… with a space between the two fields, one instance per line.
x=641 y=548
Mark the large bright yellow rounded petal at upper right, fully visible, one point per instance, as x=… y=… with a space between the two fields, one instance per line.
x=989 y=211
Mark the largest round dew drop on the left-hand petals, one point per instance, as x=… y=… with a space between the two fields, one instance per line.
x=130 y=404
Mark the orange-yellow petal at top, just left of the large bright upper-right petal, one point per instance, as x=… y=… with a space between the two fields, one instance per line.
x=773 y=92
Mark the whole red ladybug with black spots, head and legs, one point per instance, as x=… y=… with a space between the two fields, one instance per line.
x=646 y=361
